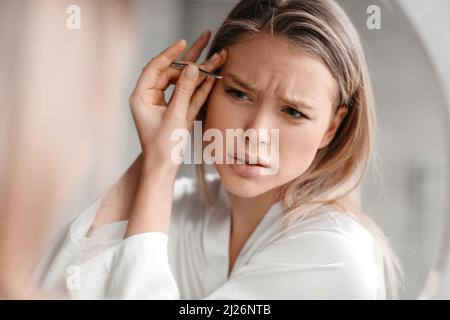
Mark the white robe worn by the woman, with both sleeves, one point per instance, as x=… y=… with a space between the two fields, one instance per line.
x=328 y=256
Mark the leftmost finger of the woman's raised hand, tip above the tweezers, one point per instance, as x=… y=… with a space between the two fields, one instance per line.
x=155 y=68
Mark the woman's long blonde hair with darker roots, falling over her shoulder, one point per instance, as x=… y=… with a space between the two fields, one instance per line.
x=323 y=29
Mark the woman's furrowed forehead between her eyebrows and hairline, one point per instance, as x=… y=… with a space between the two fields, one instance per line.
x=275 y=66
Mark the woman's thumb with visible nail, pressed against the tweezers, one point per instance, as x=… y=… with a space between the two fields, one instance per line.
x=184 y=90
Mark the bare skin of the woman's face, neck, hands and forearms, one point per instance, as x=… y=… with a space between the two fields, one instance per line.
x=144 y=194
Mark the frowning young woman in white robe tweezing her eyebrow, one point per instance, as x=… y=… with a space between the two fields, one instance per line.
x=296 y=66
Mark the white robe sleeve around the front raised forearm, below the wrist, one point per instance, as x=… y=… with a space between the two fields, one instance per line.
x=134 y=268
